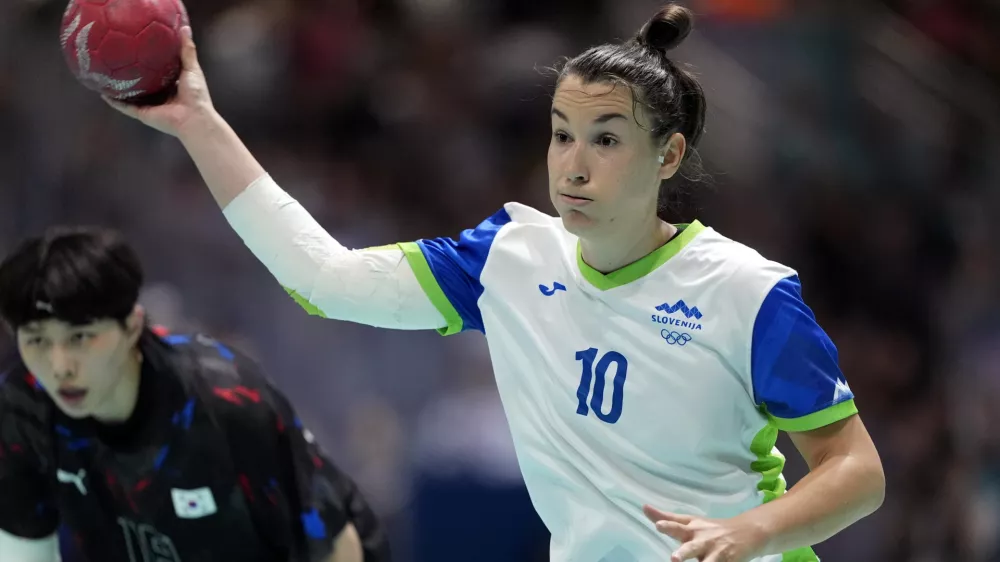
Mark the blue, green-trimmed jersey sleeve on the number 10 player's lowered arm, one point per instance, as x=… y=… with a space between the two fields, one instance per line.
x=793 y=362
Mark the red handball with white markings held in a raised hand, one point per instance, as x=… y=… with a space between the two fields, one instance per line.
x=125 y=49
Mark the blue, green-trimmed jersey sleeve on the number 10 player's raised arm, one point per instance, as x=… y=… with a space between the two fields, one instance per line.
x=449 y=270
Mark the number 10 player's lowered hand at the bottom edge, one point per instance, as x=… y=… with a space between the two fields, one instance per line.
x=709 y=540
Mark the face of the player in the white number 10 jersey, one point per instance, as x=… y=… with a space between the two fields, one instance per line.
x=604 y=168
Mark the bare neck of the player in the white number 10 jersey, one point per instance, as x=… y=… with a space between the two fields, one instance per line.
x=610 y=253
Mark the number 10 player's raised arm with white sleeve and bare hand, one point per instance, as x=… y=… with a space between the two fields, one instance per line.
x=374 y=287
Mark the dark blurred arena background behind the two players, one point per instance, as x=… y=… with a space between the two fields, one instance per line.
x=857 y=141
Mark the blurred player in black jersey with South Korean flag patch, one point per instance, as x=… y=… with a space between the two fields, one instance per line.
x=146 y=448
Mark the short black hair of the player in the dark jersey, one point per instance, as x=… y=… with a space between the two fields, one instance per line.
x=74 y=274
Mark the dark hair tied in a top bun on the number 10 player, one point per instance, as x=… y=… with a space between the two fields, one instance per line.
x=670 y=95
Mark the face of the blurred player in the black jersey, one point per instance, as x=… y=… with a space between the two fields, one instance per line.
x=79 y=366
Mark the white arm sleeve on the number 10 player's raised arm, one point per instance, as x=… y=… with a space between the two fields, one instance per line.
x=376 y=287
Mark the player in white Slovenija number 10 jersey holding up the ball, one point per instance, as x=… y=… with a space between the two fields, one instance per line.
x=640 y=363
